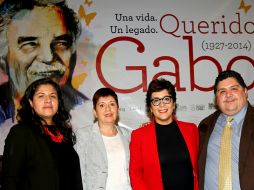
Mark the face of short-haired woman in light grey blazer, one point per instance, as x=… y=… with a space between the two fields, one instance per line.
x=106 y=111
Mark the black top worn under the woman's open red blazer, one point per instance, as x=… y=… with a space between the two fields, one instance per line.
x=175 y=163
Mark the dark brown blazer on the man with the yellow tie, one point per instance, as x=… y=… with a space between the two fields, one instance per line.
x=246 y=149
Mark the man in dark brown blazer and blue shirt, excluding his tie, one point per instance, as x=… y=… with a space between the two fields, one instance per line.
x=231 y=99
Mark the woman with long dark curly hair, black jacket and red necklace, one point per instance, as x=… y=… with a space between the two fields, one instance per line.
x=39 y=151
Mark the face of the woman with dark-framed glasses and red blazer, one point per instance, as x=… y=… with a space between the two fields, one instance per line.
x=163 y=113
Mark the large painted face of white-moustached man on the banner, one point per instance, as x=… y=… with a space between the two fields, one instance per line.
x=39 y=47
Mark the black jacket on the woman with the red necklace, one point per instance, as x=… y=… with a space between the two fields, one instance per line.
x=30 y=163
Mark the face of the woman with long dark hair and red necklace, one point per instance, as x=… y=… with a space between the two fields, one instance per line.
x=45 y=102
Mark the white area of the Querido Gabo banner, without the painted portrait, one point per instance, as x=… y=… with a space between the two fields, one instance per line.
x=126 y=44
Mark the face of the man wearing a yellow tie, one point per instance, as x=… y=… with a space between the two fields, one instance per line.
x=230 y=96
